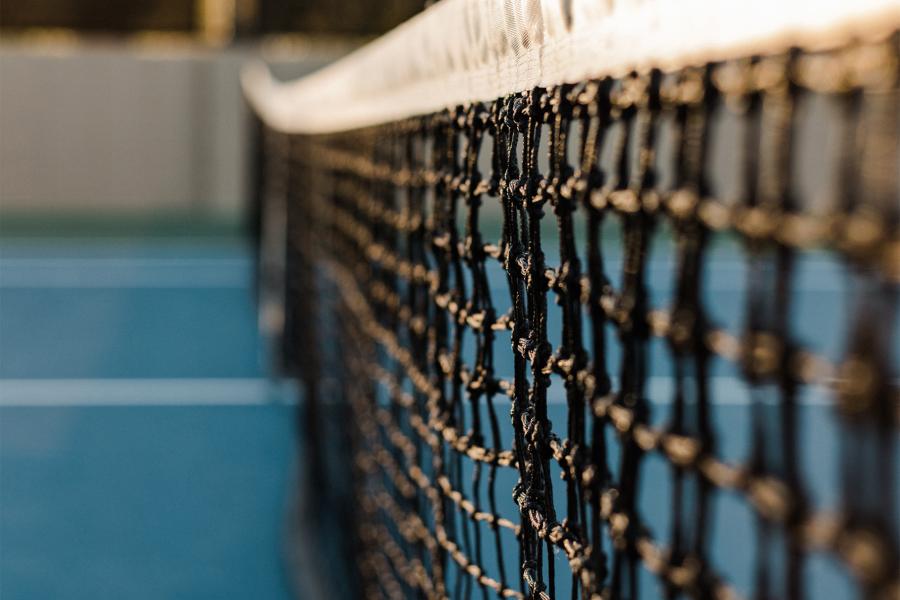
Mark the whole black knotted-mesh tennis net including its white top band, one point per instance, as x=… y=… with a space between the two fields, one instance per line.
x=597 y=302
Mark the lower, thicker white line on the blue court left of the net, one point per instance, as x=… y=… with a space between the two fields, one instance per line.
x=145 y=392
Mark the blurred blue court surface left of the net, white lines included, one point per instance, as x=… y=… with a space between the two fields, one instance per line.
x=143 y=451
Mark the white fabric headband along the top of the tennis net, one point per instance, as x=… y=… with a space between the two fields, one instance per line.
x=462 y=51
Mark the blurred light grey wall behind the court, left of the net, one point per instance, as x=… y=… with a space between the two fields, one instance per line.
x=121 y=128
